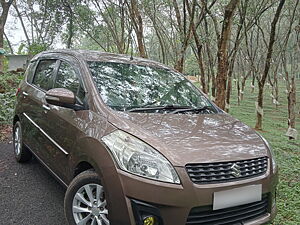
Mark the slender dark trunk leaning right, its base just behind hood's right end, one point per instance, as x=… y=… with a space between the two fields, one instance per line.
x=262 y=80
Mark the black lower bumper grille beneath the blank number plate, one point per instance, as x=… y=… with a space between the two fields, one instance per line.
x=229 y=216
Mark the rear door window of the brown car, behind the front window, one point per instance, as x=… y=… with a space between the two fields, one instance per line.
x=43 y=74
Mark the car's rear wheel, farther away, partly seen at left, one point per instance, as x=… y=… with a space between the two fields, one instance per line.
x=22 y=153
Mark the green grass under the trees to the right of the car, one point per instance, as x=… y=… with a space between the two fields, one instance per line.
x=287 y=151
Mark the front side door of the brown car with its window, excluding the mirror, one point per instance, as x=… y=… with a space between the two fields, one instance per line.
x=60 y=122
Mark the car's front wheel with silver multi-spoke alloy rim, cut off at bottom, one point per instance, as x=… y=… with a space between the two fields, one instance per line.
x=78 y=205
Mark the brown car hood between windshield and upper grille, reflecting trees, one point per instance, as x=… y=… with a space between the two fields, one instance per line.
x=193 y=138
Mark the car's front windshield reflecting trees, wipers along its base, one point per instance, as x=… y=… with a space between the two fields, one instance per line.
x=137 y=87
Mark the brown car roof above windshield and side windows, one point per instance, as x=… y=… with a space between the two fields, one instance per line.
x=91 y=55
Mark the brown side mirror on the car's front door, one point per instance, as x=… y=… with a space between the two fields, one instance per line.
x=61 y=97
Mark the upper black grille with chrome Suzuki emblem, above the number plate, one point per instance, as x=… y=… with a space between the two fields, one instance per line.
x=207 y=173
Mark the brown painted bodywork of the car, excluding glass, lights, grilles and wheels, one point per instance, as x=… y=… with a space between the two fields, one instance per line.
x=75 y=138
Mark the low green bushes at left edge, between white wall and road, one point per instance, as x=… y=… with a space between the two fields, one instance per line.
x=8 y=85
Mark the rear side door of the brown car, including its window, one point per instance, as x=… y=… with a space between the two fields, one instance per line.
x=34 y=113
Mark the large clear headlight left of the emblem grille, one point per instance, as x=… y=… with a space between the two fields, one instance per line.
x=135 y=156
